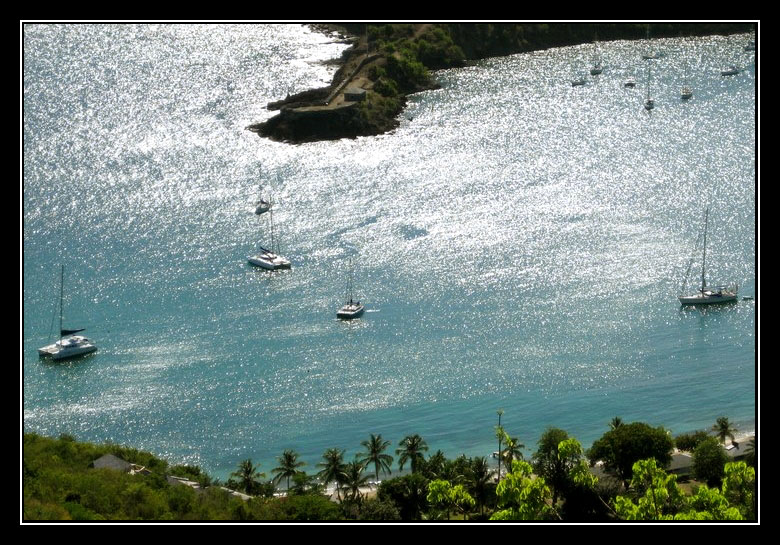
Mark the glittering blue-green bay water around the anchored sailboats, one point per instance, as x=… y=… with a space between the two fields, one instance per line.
x=519 y=244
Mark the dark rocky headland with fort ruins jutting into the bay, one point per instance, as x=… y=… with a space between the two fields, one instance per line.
x=391 y=61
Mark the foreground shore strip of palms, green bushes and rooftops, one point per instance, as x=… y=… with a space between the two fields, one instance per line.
x=64 y=479
